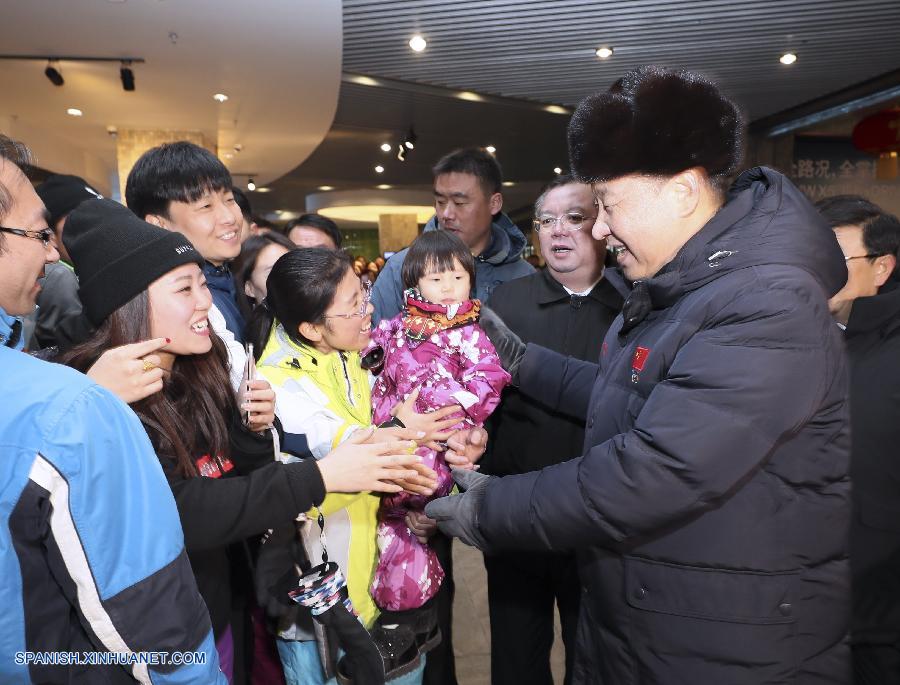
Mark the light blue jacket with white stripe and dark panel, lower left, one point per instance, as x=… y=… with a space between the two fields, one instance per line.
x=112 y=540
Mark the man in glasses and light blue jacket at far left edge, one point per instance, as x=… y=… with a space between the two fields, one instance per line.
x=96 y=584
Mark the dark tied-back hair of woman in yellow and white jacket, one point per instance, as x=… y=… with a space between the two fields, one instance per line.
x=299 y=289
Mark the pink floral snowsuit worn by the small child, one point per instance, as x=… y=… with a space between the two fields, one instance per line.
x=455 y=363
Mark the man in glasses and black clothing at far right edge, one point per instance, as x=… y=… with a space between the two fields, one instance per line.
x=868 y=309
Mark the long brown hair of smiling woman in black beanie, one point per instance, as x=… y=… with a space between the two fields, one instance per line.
x=190 y=416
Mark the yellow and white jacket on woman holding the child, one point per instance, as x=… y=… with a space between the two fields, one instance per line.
x=327 y=397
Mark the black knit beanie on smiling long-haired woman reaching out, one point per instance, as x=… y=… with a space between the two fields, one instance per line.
x=116 y=255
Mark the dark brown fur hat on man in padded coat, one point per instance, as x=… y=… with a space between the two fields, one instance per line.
x=657 y=122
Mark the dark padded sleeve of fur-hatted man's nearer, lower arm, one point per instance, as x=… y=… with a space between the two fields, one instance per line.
x=735 y=392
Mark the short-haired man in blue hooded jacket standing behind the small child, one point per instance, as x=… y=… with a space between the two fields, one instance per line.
x=468 y=203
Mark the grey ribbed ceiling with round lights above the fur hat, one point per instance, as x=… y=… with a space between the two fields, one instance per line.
x=544 y=51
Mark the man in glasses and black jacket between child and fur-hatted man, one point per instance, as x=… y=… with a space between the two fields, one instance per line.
x=568 y=308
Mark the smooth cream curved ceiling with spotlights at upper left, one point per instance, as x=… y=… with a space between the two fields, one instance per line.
x=278 y=61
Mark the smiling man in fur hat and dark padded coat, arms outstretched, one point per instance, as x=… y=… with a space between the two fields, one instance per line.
x=710 y=509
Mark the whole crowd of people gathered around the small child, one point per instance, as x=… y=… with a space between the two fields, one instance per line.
x=240 y=442
